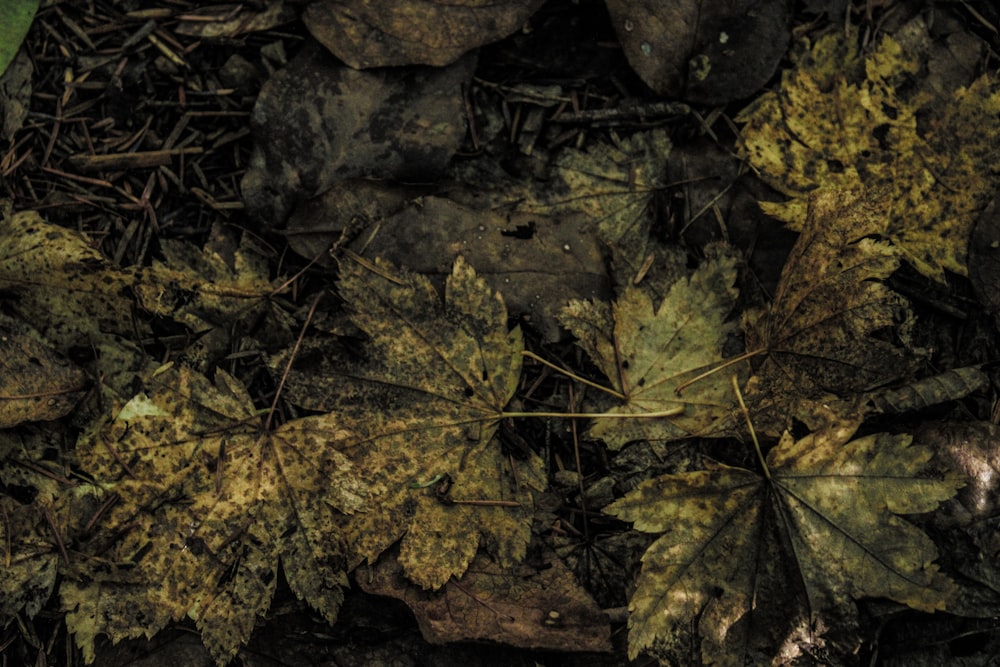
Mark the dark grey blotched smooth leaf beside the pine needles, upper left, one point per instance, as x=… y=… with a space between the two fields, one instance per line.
x=317 y=122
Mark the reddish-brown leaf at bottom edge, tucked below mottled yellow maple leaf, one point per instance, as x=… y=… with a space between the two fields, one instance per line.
x=538 y=605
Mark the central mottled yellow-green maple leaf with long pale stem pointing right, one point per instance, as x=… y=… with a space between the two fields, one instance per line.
x=425 y=404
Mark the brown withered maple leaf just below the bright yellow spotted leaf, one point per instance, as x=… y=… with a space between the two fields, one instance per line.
x=833 y=325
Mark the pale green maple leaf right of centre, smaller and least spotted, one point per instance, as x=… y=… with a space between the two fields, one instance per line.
x=650 y=352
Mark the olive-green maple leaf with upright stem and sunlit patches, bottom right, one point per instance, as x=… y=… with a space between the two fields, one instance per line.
x=759 y=563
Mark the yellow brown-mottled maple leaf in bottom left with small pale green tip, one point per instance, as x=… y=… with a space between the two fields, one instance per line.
x=209 y=503
